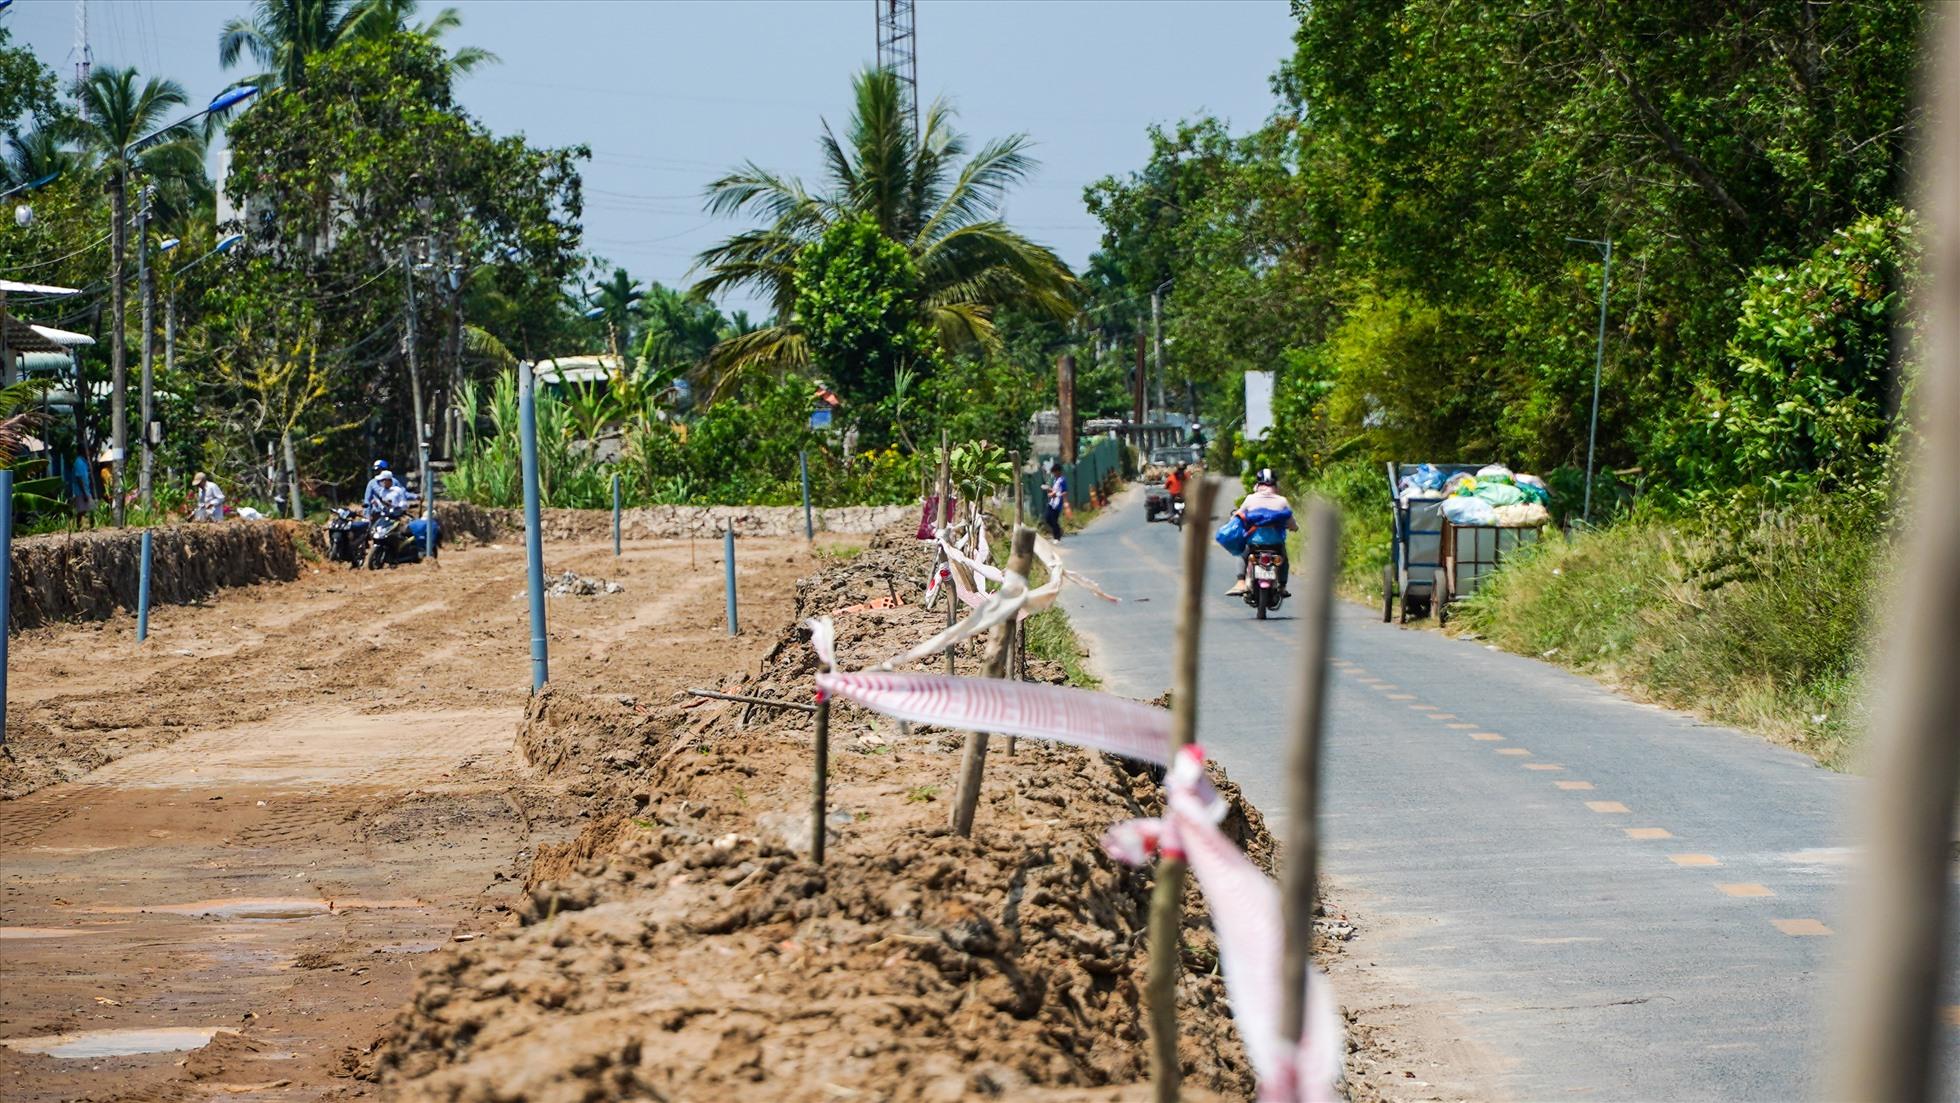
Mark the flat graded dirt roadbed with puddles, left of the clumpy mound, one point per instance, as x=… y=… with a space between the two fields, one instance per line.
x=230 y=847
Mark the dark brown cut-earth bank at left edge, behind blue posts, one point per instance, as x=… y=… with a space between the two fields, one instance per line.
x=91 y=577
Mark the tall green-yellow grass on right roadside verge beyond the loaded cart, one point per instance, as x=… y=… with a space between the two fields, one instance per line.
x=1755 y=622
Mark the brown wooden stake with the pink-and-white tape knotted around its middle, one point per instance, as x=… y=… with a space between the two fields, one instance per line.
x=1167 y=898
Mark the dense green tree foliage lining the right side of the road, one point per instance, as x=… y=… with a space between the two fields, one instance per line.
x=1395 y=242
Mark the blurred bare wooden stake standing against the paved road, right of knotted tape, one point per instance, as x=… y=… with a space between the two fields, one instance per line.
x=1300 y=881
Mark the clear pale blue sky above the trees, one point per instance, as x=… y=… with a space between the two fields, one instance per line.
x=673 y=95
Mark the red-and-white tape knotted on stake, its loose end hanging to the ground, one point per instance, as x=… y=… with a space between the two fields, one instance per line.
x=1246 y=914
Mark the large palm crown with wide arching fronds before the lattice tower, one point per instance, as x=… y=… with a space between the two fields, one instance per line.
x=922 y=195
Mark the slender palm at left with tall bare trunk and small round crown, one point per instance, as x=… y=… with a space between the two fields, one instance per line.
x=115 y=117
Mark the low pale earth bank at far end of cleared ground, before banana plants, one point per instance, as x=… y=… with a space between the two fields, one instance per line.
x=460 y=520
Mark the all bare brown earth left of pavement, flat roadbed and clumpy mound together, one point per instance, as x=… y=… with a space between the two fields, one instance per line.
x=264 y=826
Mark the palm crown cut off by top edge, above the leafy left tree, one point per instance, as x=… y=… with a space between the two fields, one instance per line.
x=283 y=34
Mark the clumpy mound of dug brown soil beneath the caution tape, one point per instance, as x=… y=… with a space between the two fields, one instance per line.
x=685 y=947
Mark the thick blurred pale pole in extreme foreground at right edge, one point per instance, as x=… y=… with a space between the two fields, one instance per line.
x=1888 y=1014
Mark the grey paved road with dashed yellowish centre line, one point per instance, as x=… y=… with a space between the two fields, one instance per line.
x=1614 y=900
